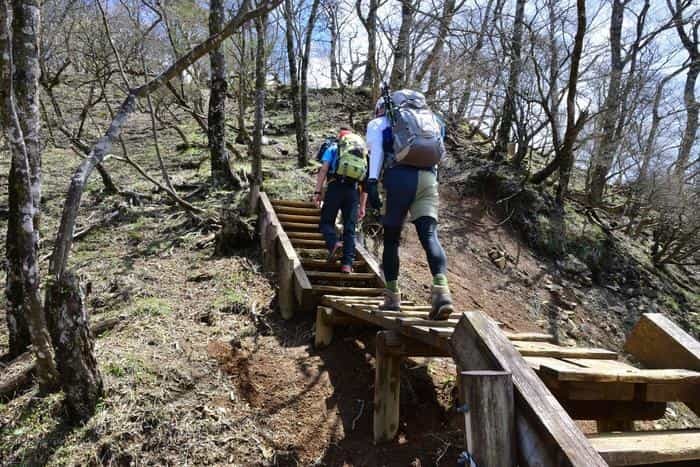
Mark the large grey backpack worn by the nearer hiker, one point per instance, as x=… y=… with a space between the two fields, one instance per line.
x=416 y=130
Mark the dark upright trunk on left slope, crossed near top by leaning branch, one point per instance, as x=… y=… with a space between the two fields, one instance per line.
x=221 y=174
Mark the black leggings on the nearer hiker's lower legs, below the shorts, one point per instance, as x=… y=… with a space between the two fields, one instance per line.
x=426 y=227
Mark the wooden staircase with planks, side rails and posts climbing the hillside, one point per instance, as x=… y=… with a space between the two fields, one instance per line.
x=552 y=384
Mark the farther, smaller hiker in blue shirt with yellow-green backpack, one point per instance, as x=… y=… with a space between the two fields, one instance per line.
x=344 y=165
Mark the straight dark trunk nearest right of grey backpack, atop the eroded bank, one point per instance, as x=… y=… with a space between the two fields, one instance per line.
x=508 y=114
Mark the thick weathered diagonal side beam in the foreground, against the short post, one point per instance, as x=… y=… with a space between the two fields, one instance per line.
x=545 y=435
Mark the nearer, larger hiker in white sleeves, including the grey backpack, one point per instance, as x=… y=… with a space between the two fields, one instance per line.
x=405 y=145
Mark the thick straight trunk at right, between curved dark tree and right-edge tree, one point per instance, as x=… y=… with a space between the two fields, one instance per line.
x=603 y=158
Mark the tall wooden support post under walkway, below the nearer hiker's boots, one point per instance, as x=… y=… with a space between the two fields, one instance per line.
x=387 y=388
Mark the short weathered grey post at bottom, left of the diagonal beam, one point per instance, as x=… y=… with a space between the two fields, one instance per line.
x=489 y=417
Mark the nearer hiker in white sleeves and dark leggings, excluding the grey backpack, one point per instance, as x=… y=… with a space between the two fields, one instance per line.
x=406 y=189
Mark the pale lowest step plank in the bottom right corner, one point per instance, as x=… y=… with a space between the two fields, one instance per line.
x=652 y=447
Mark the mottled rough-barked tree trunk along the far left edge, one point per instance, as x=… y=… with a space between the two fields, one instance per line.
x=22 y=186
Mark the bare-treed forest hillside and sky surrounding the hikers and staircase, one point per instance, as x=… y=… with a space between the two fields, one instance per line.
x=137 y=136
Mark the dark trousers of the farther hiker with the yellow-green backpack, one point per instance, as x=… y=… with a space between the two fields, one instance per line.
x=344 y=197
